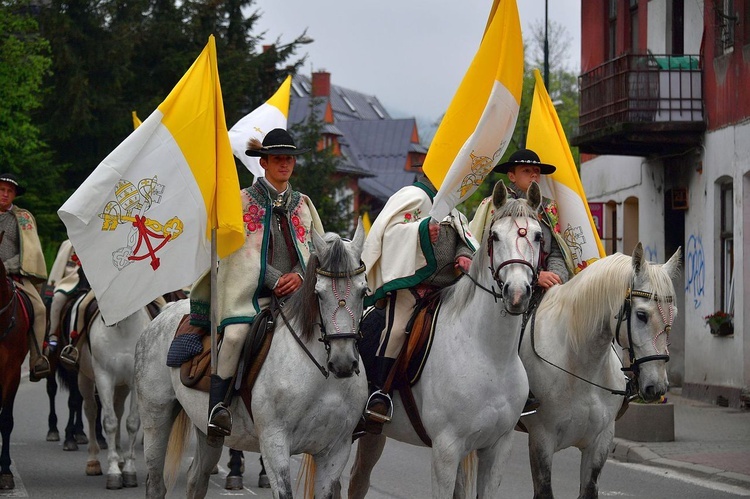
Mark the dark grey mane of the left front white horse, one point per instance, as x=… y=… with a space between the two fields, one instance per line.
x=302 y=306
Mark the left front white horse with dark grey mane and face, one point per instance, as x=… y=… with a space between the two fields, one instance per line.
x=296 y=406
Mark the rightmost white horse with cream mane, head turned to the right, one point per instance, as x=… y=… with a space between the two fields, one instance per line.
x=574 y=370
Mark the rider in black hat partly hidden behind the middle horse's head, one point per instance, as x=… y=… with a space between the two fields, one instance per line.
x=556 y=264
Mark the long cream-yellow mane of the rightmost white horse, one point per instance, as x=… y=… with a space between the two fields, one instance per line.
x=587 y=301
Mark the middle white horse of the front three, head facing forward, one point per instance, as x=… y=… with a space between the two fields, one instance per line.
x=473 y=386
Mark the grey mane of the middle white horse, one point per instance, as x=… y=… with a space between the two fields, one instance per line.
x=462 y=291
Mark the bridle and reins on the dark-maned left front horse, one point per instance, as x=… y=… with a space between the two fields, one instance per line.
x=325 y=336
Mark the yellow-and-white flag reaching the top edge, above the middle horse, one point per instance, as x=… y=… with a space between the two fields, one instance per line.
x=479 y=122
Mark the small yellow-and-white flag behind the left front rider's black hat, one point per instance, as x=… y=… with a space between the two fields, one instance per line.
x=272 y=114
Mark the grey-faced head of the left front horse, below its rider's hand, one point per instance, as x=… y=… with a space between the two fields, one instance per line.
x=340 y=286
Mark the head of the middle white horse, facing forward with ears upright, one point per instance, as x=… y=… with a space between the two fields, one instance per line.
x=514 y=245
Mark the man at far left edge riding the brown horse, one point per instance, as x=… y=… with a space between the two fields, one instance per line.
x=21 y=253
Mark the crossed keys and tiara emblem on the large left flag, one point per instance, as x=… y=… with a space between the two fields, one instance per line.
x=147 y=236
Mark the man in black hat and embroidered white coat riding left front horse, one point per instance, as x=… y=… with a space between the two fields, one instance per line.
x=278 y=223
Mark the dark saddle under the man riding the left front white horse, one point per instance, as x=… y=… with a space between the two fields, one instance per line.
x=191 y=352
